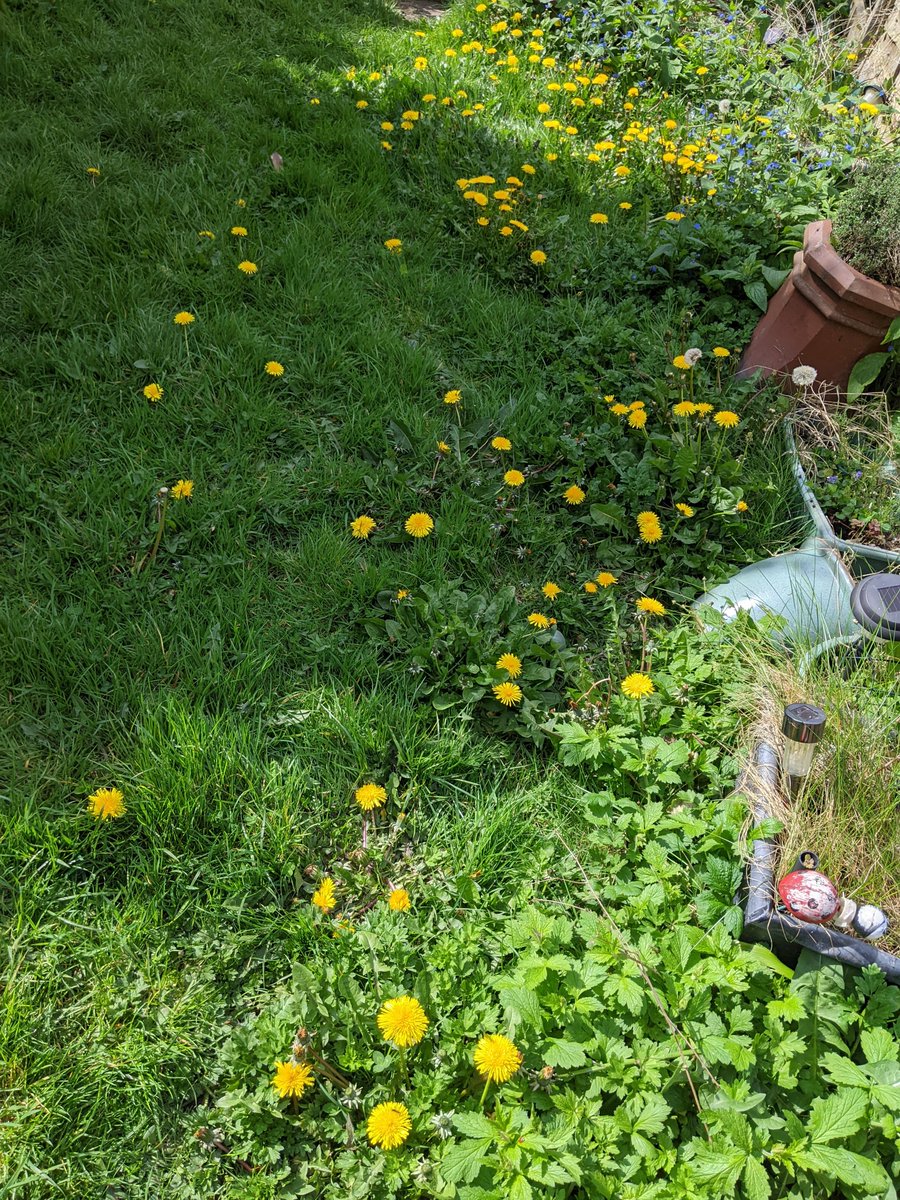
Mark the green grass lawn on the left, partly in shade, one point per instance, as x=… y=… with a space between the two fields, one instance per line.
x=229 y=683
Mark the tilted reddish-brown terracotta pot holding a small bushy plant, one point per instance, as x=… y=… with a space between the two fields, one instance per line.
x=826 y=315
